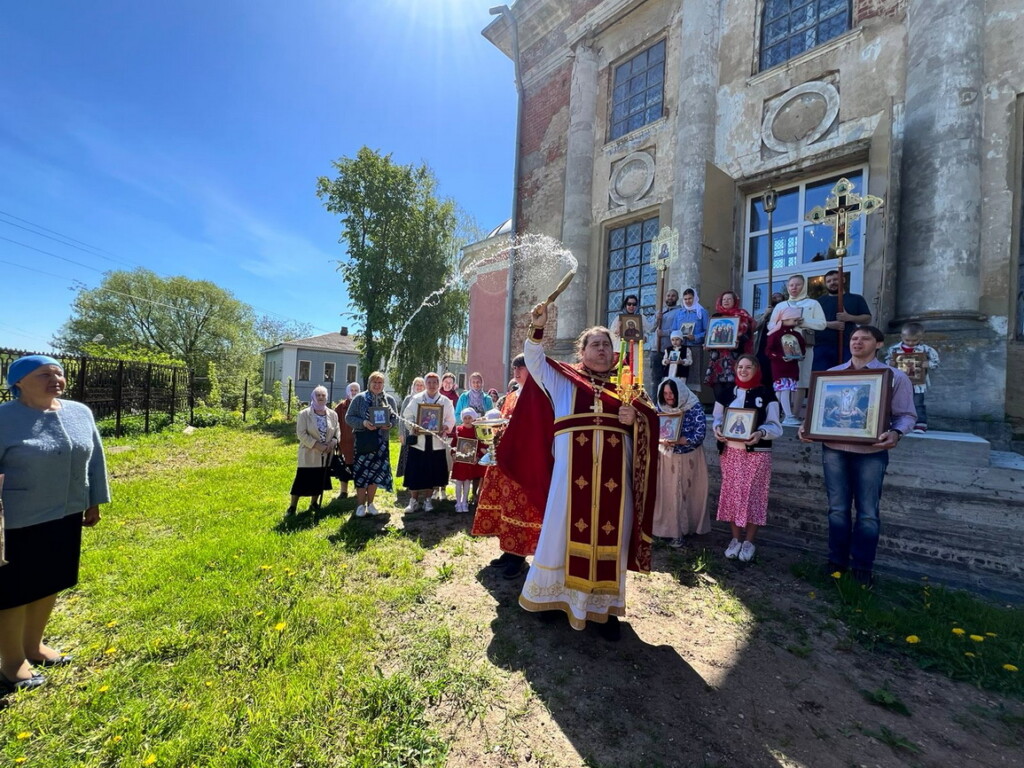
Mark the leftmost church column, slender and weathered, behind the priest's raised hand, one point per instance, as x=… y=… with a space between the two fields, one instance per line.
x=578 y=218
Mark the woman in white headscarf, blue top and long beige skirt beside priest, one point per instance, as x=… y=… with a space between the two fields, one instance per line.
x=681 y=505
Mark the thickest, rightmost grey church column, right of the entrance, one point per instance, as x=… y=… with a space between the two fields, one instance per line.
x=940 y=276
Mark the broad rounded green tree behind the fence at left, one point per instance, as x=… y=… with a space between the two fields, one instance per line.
x=192 y=321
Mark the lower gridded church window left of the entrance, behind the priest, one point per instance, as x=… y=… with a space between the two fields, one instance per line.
x=630 y=271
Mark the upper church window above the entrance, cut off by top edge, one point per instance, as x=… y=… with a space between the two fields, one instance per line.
x=791 y=27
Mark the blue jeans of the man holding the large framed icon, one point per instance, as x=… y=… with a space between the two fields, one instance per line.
x=854 y=480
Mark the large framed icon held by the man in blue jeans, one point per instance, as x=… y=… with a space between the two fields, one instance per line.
x=849 y=406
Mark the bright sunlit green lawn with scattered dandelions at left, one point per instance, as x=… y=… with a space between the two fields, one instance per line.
x=208 y=632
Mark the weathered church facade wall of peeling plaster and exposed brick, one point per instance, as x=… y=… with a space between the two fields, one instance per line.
x=868 y=67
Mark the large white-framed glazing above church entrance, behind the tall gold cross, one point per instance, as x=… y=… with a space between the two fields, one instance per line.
x=798 y=246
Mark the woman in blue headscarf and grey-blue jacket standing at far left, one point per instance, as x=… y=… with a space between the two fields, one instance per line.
x=55 y=480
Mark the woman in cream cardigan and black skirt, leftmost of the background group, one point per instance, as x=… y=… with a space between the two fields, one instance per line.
x=318 y=431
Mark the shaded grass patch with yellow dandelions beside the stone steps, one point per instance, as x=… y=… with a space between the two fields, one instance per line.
x=940 y=629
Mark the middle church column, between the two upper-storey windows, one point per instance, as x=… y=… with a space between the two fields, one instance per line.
x=696 y=108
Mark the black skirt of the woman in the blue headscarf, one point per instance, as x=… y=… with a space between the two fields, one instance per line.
x=42 y=560
